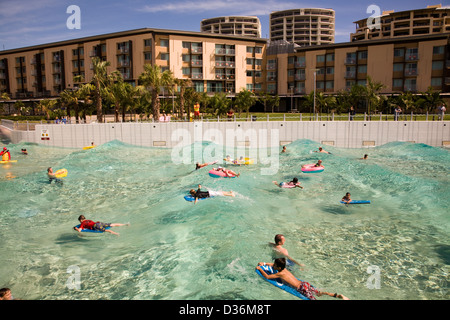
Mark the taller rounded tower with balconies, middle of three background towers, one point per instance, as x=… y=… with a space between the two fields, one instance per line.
x=304 y=27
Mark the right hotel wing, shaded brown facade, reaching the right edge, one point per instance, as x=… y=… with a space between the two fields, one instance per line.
x=407 y=64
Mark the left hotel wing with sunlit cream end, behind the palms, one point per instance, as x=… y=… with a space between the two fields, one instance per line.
x=214 y=63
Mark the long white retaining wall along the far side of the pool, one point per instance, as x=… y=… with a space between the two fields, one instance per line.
x=344 y=134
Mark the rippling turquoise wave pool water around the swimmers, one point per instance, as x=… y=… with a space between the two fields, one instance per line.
x=176 y=250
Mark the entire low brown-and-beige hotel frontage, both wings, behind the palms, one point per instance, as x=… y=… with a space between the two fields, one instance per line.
x=223 y=63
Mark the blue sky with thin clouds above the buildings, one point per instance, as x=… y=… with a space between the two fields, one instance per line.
x=30 y=22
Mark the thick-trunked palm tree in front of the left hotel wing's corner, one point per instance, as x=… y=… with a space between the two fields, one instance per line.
x=154 y=80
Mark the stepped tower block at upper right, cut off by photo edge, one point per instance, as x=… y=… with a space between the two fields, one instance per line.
x=431 y=20
